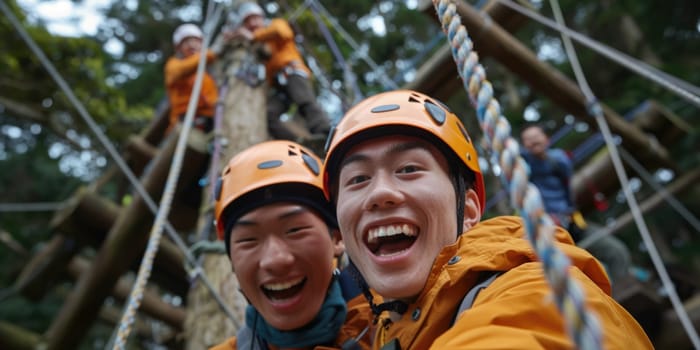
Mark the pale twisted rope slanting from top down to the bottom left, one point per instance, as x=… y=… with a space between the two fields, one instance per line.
x=136 y=295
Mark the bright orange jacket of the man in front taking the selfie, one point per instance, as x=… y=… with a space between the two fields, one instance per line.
x=515 y=311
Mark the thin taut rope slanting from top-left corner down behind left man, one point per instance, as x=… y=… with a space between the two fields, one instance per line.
x=80 y=108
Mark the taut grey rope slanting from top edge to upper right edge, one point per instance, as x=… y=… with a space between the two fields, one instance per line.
x=681 y=88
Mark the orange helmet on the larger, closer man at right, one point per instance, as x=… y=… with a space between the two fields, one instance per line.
x=408 y=113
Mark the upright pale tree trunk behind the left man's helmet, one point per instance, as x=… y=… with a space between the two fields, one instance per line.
x=243 y=124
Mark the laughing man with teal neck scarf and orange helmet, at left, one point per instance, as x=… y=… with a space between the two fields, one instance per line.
x=282 y=238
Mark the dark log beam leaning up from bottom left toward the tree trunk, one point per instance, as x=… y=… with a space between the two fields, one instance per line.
x=124 y=244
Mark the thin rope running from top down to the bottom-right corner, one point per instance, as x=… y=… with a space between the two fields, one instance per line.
x=596 y=111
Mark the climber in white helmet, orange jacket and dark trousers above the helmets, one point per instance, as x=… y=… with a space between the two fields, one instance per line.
x=287 y=74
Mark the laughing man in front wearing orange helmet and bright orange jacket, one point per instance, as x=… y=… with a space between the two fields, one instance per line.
x=404 y=176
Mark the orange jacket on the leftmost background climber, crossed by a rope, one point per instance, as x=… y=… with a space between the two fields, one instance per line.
x=179 y=81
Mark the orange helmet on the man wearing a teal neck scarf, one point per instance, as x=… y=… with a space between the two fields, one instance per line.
x=268 y=172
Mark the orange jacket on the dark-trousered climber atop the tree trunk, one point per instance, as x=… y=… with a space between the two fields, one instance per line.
x=278 y=36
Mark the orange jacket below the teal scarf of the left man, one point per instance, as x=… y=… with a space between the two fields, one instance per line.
x=359 y=316
